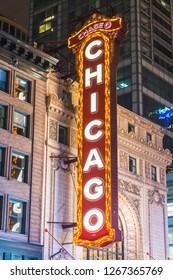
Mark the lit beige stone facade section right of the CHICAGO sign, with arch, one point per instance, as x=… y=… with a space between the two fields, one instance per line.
x=142 y=201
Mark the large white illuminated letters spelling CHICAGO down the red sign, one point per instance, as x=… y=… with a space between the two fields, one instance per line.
x=94 y=218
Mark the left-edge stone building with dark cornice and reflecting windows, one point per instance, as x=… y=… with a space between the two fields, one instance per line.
x=23 y=80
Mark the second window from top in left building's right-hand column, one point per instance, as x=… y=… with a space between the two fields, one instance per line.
x=20 y=124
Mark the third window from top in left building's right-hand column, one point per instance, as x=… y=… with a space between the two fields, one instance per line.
x=19 y=167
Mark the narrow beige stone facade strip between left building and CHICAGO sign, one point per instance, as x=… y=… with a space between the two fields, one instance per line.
x=61 y=179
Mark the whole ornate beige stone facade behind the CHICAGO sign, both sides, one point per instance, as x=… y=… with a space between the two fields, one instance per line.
x=142 y=165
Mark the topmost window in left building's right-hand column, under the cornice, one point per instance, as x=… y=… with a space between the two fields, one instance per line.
x=22 y=89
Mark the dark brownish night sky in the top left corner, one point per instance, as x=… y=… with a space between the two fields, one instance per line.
x=17 y=10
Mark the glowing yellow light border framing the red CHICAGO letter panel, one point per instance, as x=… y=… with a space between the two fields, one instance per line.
x=111 y=231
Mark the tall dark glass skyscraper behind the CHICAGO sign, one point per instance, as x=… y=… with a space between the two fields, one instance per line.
x=145 y=72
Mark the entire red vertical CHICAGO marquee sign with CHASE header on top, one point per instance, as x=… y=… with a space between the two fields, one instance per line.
x=96 y=58
